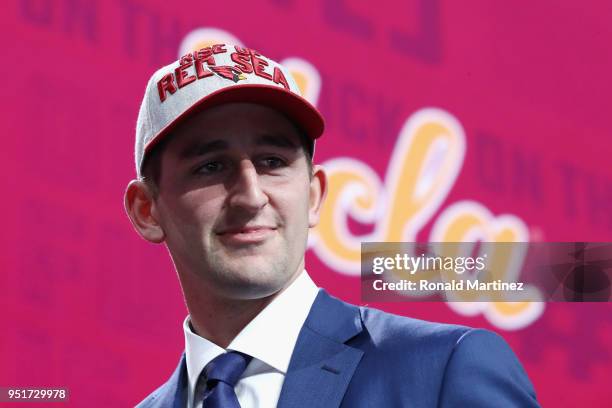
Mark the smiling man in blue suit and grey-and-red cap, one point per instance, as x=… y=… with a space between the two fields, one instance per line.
x=224 y=147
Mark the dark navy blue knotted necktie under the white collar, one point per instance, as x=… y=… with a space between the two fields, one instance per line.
x=222 y=374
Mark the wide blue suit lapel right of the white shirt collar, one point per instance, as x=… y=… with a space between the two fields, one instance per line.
x=322 y=365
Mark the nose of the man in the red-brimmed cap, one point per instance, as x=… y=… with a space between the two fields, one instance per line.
x=246 y=192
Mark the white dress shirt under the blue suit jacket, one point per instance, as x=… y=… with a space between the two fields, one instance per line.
x=269 y=338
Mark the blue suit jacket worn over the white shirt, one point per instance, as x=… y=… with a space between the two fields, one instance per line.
x=349 y=356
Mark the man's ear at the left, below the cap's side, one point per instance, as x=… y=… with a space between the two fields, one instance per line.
x=141 y=208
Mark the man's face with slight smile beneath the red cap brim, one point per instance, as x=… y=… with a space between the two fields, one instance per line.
x=236 y=199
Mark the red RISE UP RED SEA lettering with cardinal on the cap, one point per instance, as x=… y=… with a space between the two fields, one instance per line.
x=201 y=64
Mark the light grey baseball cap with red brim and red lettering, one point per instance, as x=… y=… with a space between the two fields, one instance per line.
x=213 y=76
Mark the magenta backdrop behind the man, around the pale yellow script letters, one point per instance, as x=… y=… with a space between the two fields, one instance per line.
x=88 y=305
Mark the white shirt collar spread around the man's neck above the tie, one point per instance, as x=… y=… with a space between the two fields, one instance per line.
x=270 y=337
